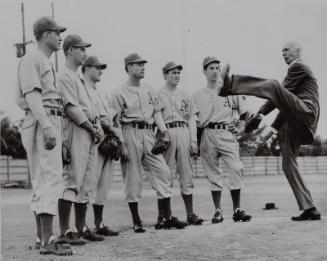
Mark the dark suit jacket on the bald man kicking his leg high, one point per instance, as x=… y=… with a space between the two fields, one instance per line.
x=300 y=81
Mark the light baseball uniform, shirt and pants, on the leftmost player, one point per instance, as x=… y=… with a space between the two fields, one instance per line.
x=35 y=71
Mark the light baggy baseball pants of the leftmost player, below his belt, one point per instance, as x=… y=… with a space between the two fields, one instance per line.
x=45 y=166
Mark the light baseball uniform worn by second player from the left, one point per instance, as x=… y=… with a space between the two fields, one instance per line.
x=79 y=178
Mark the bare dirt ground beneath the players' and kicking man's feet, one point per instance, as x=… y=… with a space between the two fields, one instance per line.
x=270 y=235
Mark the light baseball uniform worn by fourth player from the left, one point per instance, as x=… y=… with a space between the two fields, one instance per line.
x=136 y=107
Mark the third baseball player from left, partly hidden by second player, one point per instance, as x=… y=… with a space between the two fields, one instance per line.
x=104 y=167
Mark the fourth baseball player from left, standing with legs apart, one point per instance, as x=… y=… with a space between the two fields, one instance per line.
x=139 y=108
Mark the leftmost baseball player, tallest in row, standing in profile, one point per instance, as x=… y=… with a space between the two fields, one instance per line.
x=38 y=94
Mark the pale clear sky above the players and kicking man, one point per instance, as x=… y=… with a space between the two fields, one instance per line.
x=248 y=34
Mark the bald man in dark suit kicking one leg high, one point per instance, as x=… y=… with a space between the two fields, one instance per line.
x=297 y=99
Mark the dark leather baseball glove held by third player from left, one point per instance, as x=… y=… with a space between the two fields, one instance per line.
x=110 y=147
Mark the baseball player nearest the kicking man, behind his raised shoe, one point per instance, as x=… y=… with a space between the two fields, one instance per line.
x=219 y=140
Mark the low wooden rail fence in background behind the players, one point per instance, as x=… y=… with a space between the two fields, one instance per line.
x=16 y=170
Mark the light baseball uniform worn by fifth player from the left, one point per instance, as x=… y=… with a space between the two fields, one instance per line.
x=177 y=110
